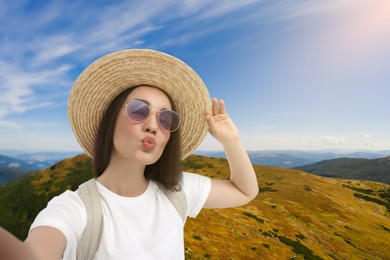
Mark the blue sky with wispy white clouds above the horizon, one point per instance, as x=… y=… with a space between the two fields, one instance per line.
x=302 y=75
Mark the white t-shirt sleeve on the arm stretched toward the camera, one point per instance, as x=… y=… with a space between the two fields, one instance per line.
x=66 y=213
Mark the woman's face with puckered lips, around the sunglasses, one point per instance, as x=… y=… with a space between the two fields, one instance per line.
x=142 y=142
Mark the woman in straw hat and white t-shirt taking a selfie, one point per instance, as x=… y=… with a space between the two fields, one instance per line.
x=138 y=113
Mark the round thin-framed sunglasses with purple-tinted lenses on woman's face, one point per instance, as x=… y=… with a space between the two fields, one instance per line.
x=137 y=111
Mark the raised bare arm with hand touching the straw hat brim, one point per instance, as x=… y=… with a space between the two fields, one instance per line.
x=242 y=186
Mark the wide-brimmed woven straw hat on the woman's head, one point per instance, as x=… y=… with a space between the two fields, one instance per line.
x=110 y=75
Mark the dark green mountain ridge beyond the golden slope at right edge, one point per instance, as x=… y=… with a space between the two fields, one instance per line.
x=352 y=168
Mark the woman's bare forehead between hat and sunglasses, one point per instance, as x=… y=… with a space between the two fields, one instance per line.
x=154 y=96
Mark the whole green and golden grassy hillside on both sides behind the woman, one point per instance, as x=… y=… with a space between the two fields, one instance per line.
x=295 y=215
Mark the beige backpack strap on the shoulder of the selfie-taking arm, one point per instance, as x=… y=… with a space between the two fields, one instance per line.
x=90 y=240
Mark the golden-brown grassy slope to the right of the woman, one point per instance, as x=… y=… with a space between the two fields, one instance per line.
x=294 y=212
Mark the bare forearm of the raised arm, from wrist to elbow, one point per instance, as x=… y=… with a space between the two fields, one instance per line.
x=242 y=174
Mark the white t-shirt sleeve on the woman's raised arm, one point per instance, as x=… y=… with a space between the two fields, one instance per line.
x=196 y=188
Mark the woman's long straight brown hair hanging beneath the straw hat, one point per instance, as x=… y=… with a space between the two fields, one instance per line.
x=167 y=170
